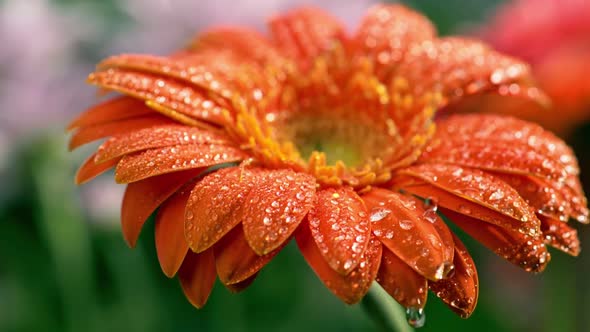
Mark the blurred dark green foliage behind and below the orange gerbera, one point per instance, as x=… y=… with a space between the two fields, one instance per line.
x=62 y=271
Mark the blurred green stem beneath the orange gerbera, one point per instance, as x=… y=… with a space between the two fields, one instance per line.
x=384 y=310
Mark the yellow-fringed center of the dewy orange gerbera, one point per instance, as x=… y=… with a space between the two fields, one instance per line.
x=336 y=120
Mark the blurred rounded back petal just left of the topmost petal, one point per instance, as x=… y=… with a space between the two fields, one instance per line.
x=305 y=33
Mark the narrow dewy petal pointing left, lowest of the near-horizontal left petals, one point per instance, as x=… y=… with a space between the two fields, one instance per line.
x=141 y=165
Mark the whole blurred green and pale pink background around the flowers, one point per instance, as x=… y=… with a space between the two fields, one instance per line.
x=63 y=263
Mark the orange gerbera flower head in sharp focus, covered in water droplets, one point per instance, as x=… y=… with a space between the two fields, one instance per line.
x=244 y=142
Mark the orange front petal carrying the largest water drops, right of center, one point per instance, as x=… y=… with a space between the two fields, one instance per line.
x=402 y=225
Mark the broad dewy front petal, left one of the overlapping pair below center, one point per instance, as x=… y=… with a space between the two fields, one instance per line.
x=215 y=205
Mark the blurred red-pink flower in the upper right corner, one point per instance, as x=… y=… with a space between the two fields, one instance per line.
x=553 y=36
